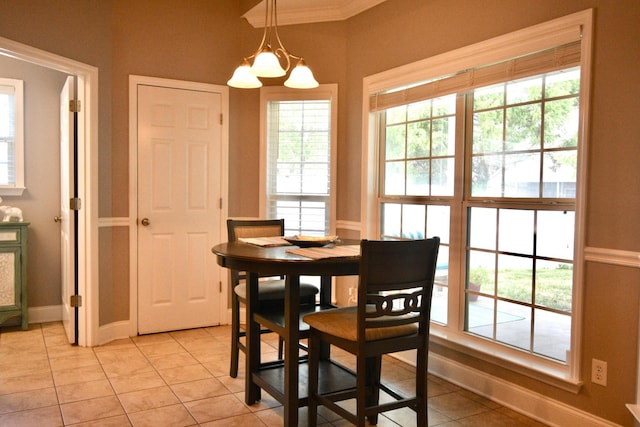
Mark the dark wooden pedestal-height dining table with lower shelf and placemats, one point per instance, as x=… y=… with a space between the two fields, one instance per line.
x=282 y=379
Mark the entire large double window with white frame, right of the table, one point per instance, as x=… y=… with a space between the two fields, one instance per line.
x=488 y=157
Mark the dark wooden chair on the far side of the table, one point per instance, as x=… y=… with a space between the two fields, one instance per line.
x=270 y=290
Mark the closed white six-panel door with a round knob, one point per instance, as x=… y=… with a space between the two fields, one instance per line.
x=179 y=145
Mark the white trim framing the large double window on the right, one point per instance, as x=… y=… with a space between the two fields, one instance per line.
x=539 y=37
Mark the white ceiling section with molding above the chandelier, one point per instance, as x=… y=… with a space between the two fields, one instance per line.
x=308 y=11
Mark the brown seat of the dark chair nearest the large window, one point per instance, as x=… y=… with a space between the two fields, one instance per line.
x=341 y=322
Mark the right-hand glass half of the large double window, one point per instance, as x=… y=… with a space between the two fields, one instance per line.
x=521 y=211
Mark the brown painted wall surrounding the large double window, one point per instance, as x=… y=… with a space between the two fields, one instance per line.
x=611 y=293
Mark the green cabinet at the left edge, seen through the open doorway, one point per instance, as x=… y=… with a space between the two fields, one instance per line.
x=13 y=274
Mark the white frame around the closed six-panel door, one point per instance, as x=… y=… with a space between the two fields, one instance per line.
x=134 y=81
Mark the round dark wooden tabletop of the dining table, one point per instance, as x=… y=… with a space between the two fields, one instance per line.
x=276 y=260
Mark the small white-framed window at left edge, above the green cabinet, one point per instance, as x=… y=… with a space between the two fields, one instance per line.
x=11 y=137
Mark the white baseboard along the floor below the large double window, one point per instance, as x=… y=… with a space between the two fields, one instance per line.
x=520 y=399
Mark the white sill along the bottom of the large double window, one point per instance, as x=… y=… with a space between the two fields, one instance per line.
x=540 y=369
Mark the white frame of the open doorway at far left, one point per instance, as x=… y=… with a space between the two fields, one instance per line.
x=88 y=320
